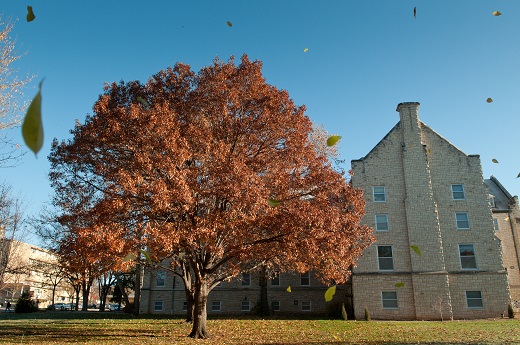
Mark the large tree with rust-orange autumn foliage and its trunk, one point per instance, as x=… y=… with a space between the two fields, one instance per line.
x=215 y=170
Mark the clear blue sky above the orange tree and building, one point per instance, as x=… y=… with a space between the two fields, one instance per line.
x=364 y=57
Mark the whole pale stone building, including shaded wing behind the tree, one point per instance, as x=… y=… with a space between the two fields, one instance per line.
x=437 y=254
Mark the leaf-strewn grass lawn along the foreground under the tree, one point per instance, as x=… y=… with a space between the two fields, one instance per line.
x=115 y=328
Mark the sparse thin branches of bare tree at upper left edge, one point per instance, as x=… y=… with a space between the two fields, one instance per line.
x=11 y=96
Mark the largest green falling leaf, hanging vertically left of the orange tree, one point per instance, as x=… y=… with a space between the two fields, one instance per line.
x=32 y=128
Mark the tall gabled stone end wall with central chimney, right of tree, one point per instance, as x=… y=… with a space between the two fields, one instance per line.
x=436 y=254
